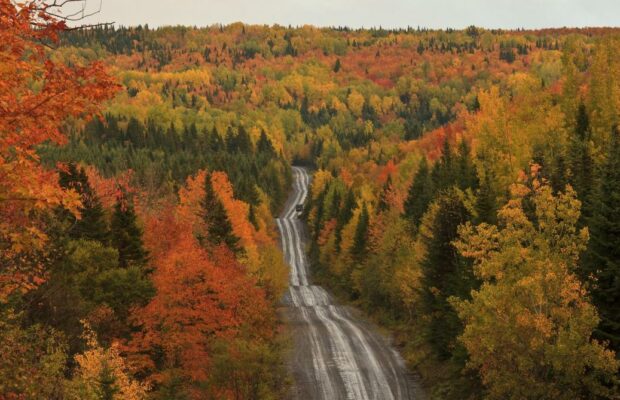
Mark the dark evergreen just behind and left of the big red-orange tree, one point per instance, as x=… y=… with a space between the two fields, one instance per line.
x=126 y=234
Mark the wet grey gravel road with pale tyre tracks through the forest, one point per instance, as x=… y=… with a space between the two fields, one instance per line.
x=335 y=355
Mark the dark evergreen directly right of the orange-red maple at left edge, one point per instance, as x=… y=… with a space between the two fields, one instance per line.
x=92 y=224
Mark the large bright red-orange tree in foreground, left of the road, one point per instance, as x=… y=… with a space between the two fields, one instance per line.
x=203 y=297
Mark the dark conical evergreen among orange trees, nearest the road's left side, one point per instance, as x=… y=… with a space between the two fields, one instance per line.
x=219 y=228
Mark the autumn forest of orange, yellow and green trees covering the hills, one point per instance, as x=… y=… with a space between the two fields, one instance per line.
x=465 y=195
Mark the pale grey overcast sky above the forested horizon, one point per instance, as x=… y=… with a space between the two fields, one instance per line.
x=364 y=13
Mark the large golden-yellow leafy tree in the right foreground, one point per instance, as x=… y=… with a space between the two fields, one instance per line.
x=530 y=304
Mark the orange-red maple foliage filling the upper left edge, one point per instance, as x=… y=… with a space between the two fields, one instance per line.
x=37 y=95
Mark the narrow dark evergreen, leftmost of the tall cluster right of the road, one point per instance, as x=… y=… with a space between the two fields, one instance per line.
x=420 y=195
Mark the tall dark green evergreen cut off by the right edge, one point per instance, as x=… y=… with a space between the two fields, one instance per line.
x=602 y=261
